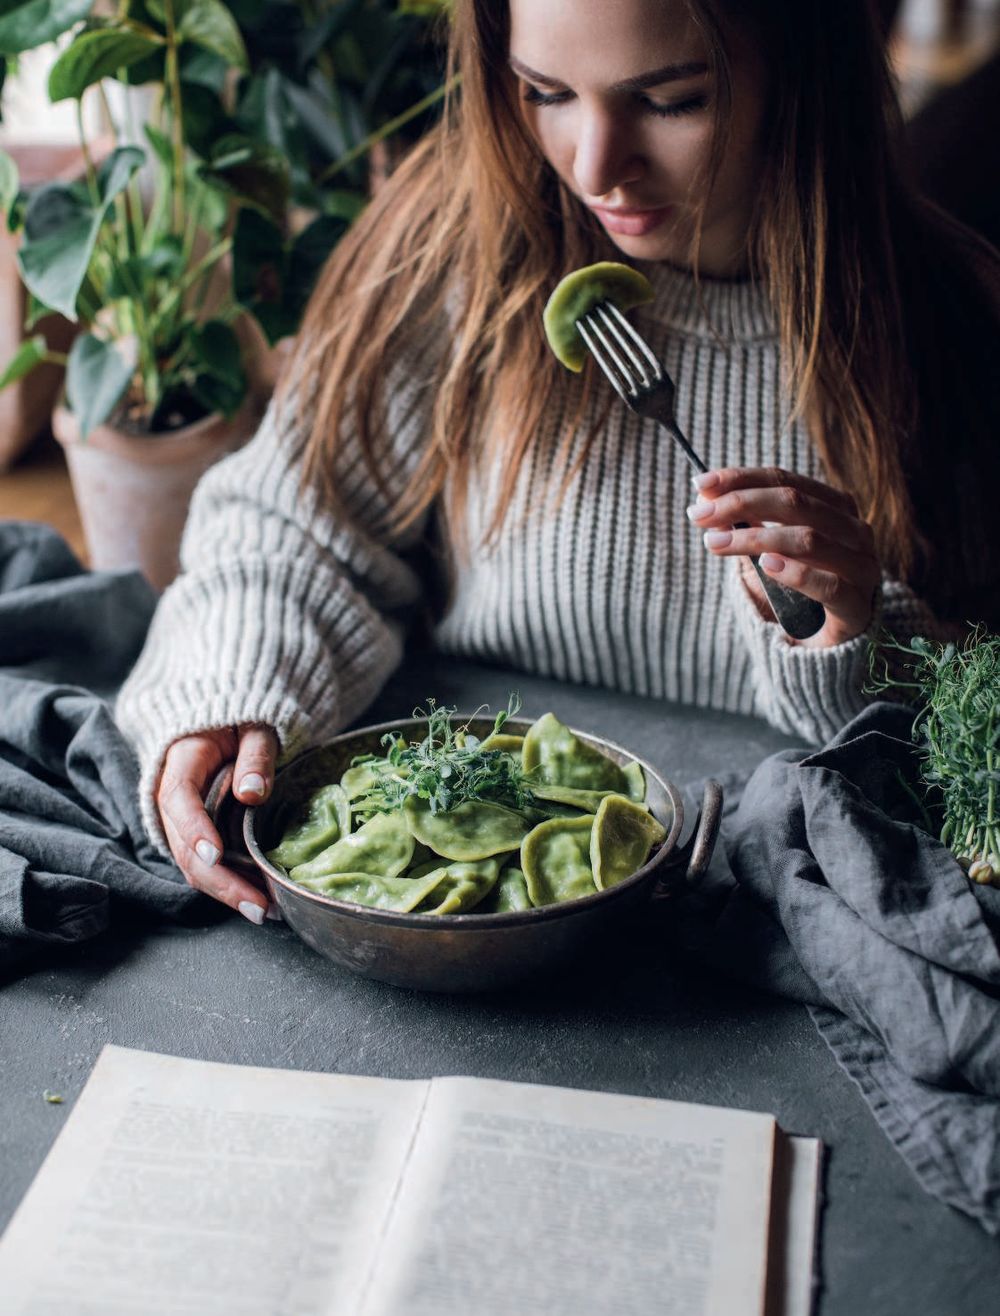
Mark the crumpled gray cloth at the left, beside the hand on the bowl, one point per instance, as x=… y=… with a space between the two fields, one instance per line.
x=74 y=856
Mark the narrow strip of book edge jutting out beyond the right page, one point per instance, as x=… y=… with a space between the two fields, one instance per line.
x=795 y=1217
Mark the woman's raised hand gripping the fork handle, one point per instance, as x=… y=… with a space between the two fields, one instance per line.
x=816 y=544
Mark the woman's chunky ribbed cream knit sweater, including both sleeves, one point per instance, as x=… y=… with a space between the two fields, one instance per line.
x=286 y=617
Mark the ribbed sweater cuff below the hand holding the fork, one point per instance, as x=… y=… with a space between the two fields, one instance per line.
x=814 y=693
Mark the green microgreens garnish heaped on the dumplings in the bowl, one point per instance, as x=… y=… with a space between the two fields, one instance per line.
x=448 y=768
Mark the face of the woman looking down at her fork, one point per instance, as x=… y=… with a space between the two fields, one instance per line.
x=619 y=98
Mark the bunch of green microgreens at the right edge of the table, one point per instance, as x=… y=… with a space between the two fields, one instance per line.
x=957 y=692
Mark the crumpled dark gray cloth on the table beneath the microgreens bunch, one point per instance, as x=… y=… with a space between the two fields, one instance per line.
x=830 y=889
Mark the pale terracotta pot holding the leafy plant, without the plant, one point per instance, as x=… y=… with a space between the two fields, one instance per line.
x=134 y=492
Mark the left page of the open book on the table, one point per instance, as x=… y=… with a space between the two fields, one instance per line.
x=189 y=1188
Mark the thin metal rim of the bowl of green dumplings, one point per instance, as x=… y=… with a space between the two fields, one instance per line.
x=472 y=921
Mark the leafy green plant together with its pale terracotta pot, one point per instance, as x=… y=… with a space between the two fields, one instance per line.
x=185 y=230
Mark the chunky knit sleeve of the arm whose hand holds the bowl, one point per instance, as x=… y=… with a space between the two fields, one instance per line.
x=284 y=614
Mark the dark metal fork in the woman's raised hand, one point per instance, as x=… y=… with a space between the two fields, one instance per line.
x=639 y=377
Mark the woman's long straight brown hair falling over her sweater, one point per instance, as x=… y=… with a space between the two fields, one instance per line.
x=887 y=327
